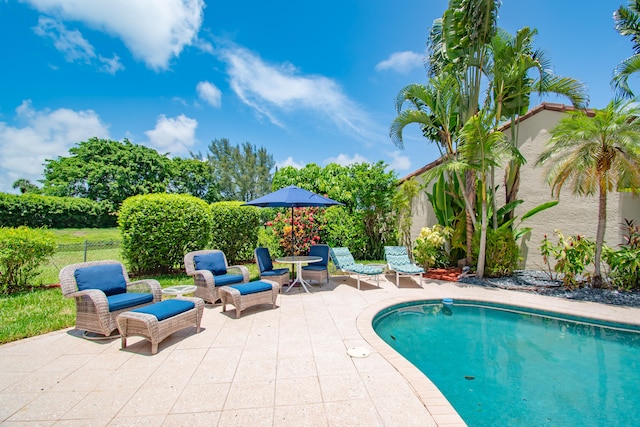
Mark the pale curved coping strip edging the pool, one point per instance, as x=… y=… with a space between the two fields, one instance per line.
x=443 y=413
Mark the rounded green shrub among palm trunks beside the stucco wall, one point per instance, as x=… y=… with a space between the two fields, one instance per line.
x=502 y=253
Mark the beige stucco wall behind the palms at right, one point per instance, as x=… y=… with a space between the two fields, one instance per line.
x=573 y=215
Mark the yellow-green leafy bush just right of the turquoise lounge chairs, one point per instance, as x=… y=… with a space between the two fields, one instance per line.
x=431 y=248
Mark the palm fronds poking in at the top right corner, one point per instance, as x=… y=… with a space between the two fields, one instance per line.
x=627 y=20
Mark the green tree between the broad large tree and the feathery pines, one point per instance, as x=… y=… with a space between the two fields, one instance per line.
x=193 y=176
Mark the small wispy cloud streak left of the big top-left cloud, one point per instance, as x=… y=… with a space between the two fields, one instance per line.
x=74 y=46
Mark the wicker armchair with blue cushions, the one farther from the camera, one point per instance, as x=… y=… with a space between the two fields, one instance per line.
x=210 y=270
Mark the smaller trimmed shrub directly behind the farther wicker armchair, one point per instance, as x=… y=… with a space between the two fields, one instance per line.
x=234 y=230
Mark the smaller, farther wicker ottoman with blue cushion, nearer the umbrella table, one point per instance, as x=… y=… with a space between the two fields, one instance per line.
x=249 y=294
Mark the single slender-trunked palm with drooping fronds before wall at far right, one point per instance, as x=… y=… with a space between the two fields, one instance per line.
x=596 y=154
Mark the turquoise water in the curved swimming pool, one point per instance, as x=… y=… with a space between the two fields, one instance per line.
x=499 y=366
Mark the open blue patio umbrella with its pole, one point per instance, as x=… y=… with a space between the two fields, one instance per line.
x=292 y=197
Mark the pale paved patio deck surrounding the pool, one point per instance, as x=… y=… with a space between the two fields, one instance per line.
x=282 y=367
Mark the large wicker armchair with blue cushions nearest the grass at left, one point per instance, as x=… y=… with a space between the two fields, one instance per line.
x=102 y=290
